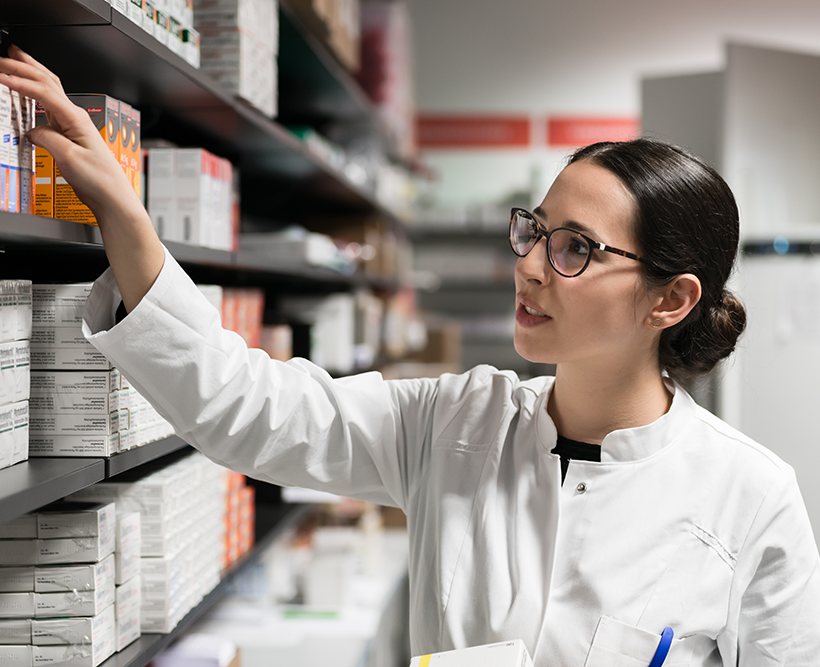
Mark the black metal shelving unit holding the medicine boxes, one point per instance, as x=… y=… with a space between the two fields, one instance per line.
x=93 y=48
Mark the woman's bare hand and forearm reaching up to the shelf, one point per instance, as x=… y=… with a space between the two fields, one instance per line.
x=134 y=251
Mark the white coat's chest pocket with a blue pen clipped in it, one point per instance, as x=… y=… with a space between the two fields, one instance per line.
x=616 y=644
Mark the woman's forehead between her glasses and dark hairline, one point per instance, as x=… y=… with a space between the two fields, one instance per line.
x=592 y=199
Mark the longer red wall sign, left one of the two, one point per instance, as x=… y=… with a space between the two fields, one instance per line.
x=442 y=131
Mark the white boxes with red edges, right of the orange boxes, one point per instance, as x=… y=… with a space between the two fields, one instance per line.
x=193 y=197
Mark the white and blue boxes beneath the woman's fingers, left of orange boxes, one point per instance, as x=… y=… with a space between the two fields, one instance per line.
x=16 y=152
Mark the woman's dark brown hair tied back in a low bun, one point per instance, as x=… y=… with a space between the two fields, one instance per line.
x=686 y=222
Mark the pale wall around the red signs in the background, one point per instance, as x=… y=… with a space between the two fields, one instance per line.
x=584 y=57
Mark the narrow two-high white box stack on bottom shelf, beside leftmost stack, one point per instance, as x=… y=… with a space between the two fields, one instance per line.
x=128 y=592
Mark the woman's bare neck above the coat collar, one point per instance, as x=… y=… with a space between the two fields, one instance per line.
x=586 y=406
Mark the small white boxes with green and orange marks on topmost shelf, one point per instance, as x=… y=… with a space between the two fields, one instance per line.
x=170 y=22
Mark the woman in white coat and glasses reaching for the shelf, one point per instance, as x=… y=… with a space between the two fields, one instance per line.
x=601 y=516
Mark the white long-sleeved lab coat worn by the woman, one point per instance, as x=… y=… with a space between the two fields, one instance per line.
x=684 y=523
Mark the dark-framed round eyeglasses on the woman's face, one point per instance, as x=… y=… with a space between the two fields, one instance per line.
x=568 y=251
